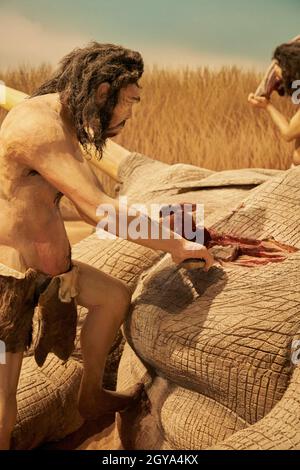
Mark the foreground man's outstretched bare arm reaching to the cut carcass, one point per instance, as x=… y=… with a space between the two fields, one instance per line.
x=55 y=162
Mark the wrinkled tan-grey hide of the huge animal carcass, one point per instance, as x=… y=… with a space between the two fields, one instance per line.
x=214 y=349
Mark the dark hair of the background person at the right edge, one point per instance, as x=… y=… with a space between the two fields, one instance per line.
x=288 y=58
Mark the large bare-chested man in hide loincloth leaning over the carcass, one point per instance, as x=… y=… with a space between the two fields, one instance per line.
x=88 y=100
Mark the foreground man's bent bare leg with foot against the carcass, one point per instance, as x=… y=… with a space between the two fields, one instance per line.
x=107 y=300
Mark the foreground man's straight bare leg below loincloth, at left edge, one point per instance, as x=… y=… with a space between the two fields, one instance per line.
x=9 y=377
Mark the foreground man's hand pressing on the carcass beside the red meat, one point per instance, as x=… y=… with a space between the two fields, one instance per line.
x=187 y=249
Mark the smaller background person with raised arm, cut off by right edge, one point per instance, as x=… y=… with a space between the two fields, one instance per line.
x=284 y=71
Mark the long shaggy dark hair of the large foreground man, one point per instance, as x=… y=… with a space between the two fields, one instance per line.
x=77 y=79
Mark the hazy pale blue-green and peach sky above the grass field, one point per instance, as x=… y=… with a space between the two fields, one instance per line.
x=167 y=32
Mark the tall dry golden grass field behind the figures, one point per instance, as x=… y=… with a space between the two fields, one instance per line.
x=200 y=117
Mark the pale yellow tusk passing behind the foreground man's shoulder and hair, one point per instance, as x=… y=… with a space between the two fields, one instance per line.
x=113 y=154
